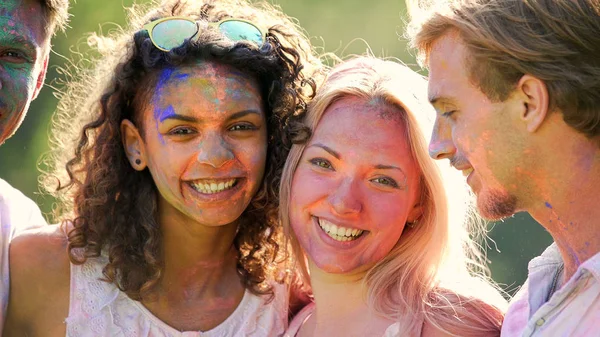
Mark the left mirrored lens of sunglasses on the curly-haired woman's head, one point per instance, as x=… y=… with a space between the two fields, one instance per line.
x=173 y=33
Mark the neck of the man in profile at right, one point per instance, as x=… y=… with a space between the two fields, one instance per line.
x=567 y=201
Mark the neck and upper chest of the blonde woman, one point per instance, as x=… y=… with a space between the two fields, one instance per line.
x=341 y=308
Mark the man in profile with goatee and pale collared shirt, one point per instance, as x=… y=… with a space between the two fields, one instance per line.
x=516 y=86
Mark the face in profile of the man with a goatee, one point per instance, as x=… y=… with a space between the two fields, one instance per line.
x=474 y=133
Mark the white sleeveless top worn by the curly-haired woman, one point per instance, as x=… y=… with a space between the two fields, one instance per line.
x=98 y=308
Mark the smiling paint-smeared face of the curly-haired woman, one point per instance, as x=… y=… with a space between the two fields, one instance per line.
x=206 y=152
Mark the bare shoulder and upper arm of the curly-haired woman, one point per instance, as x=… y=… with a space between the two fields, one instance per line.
x=39 y=282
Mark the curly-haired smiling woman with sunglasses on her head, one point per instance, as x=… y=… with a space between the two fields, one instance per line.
x=170 y=194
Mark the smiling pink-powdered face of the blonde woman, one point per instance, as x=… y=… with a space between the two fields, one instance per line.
x=358 y=174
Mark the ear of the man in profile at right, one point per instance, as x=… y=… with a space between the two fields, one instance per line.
x=535 y=101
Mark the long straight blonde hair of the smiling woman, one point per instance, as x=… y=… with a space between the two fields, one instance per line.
x=413 y=280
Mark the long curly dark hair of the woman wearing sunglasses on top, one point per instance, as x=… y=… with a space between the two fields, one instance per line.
x=107 y=206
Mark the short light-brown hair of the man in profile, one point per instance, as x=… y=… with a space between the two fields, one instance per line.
x=555 y=41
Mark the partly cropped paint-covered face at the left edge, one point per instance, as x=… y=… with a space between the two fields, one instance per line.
x=23 y=48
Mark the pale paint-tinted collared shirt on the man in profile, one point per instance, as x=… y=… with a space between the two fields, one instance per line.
x=572 y=311
